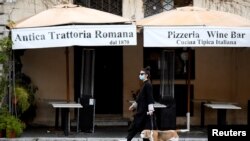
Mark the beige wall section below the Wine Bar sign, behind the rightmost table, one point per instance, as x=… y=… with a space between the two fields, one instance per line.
x=216 y=79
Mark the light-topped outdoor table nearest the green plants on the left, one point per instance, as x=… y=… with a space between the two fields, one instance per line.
x=65 y=114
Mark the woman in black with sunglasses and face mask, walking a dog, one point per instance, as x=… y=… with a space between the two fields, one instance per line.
x=143 y=106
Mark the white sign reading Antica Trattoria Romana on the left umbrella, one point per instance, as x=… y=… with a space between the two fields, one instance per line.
x=74 y=35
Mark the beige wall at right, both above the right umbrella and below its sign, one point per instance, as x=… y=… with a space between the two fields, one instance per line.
x=229 y=80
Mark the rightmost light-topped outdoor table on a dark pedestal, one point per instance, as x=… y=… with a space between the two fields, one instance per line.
x=221 y=110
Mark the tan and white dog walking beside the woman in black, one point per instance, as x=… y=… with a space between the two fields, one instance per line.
x=157 y=135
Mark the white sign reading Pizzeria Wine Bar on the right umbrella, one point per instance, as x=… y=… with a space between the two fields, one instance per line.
x=196 y=36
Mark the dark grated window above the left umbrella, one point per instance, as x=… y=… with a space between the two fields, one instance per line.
x=111 y=6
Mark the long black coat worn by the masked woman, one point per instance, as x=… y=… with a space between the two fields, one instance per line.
x=144 y=98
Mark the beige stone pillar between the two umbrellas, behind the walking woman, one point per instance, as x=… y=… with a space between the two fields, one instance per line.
x=132 y=56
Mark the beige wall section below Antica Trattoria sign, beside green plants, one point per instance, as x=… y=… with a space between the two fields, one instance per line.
x=47 y=70
